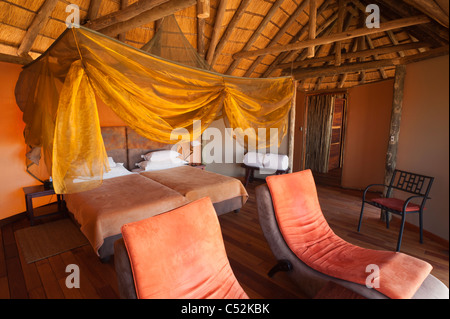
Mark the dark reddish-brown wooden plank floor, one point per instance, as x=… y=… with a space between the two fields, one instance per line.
x=248 y=252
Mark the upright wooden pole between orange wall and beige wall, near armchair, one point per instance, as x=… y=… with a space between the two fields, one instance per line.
x=394 y=132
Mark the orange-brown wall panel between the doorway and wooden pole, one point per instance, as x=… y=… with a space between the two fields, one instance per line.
x=367 y=136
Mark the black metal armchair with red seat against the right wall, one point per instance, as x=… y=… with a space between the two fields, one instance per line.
x=418 y=186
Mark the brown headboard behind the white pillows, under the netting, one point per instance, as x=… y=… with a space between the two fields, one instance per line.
x=126 y=146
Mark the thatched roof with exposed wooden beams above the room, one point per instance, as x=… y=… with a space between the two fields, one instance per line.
x=252 y=38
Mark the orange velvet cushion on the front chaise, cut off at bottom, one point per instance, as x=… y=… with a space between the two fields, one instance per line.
x=181 y=254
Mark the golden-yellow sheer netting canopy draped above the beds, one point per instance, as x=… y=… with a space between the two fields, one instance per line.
x=57 y=95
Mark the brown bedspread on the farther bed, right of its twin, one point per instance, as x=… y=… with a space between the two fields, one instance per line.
x=194 y=183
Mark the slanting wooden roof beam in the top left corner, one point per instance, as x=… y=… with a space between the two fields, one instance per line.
x=36 y=25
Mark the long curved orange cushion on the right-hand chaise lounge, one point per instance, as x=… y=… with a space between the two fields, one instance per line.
x=308 y=235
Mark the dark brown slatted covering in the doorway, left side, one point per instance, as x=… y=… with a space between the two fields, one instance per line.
x=318 y=138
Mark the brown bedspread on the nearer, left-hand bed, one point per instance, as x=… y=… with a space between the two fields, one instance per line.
x=101 y=212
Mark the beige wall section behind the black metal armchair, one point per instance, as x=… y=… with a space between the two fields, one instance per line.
x=424 y=136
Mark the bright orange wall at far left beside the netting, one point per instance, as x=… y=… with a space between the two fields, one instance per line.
x=12 y=147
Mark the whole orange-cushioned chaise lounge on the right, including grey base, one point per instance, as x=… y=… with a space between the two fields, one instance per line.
x=313 y=255
